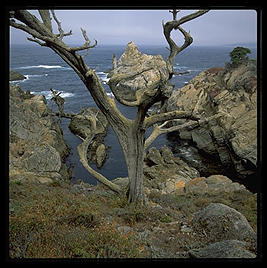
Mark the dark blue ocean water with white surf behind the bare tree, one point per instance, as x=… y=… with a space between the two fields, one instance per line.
x=44 y=70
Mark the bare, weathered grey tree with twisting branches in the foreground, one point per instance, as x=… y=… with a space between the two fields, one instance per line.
x=130 y=133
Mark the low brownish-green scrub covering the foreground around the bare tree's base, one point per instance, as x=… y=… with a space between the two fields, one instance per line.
x=56 y=221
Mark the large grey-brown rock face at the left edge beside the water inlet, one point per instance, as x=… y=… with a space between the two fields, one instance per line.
x=36 y=146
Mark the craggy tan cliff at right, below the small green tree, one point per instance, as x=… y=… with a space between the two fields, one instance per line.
x=233 y=93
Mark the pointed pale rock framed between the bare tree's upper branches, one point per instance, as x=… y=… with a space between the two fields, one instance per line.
x=136 y=73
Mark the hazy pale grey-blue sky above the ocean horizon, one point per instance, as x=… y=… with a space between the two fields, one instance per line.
x=217 y=27
